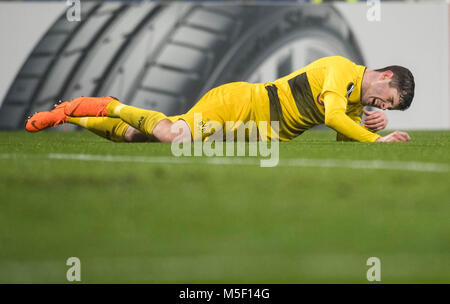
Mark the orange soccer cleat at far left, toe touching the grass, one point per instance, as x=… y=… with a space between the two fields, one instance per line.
x=43 y=120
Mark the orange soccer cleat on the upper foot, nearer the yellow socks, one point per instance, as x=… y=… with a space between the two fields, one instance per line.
x=88 y=106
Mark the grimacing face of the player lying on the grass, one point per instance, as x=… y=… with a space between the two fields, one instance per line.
x=381 y=95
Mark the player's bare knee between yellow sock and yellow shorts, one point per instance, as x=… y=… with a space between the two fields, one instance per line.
x=167 y=131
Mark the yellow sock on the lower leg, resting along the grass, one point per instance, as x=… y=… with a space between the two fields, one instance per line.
x=110 y=128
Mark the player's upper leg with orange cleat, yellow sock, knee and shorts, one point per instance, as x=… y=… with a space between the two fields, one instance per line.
x=229 y=102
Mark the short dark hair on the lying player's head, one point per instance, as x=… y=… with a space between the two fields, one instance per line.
x=403 y=81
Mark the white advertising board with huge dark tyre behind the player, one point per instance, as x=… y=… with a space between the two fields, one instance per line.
x=165 y=55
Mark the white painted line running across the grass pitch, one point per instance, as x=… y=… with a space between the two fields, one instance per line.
x=250 y=161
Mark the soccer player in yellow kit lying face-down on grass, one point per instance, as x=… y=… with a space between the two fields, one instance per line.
x=331 y=91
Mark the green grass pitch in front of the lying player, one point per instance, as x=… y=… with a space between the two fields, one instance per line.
x=131 y=222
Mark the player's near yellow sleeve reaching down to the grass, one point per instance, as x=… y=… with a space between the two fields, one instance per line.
x=335 y=118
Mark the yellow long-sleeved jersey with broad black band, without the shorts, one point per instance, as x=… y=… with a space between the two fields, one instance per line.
x=325 y=91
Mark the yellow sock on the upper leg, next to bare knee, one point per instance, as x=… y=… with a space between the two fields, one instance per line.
x=143 y=120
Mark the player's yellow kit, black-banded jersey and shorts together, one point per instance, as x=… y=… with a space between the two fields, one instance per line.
x=325 y=91
